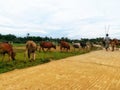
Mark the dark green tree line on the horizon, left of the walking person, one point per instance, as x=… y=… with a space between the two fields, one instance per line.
x=15 y=39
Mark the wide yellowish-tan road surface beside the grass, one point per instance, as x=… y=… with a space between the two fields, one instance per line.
x=99 y=70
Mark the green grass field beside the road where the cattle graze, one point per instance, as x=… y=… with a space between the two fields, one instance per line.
x=41 y=57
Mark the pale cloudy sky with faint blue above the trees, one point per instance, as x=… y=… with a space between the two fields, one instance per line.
x=74 y=19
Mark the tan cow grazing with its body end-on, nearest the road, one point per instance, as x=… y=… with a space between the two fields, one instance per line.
x=31 y=47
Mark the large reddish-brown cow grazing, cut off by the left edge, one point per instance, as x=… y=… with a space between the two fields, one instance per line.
x=6 y=48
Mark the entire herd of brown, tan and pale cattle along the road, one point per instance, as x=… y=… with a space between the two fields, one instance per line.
x=31 y=47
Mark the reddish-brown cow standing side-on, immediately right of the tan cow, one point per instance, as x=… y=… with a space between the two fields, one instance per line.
x=47 y=45
